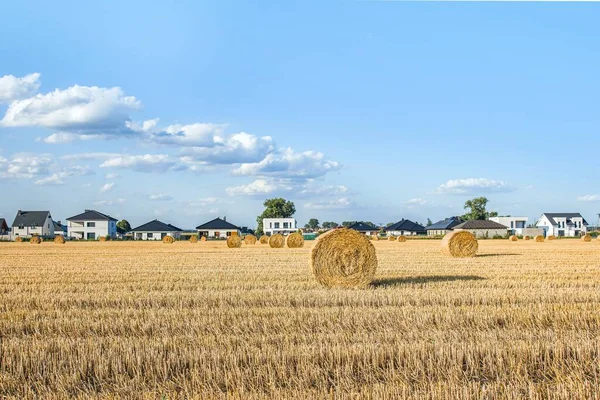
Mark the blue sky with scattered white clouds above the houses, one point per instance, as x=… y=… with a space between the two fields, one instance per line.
x=353 y=110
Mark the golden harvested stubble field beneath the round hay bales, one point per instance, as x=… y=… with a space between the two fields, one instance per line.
x=150 y=320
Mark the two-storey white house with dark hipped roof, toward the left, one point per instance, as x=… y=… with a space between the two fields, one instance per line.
x=91 y=225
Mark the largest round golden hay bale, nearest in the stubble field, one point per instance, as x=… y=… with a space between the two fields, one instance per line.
x=344 y=258
